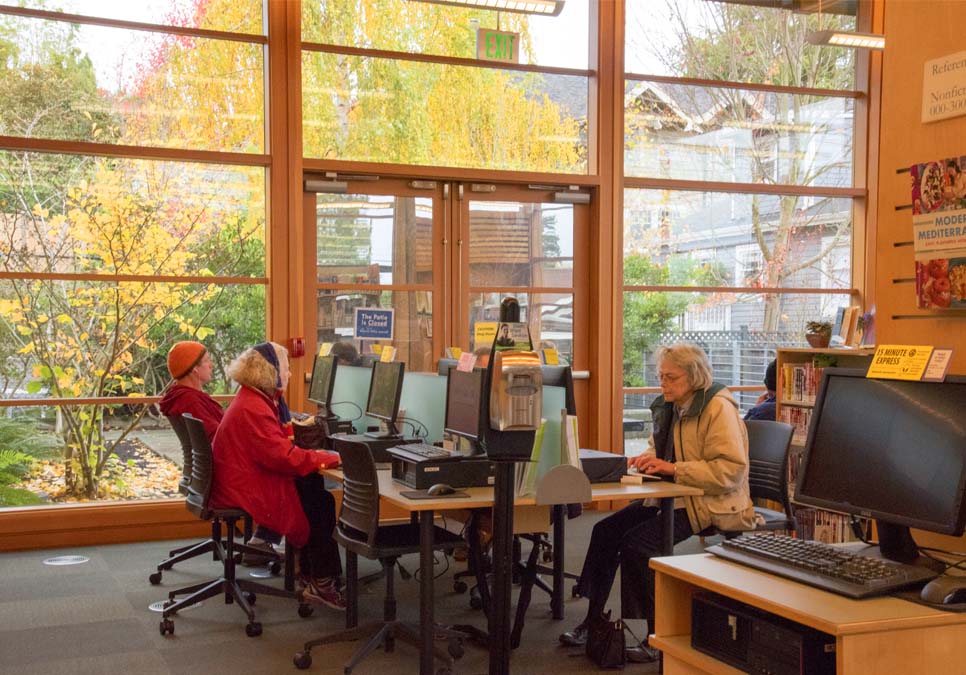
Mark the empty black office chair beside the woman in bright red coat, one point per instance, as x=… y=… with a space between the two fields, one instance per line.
x=359 y=533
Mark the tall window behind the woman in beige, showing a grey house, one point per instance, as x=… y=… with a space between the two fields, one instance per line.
x=739 y=188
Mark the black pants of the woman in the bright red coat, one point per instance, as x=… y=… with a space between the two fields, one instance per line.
x=320 y=556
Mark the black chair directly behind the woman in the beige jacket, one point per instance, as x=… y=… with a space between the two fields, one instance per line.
x=768 y=444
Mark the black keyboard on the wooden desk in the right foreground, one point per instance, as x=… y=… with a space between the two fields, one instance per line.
x=821 y=565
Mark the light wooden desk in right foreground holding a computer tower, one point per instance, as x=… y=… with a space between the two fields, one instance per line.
x=880 y=636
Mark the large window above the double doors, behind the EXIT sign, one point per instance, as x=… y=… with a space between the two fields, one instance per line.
x=417 y=95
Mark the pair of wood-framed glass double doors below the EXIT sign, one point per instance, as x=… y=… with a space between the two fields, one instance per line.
x=443 y=255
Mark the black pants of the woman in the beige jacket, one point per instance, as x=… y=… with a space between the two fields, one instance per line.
x=627 y=539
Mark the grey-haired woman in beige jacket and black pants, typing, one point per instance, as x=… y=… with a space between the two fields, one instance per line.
x=700 y=440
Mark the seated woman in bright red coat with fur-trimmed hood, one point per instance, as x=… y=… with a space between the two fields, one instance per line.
x=259 y=468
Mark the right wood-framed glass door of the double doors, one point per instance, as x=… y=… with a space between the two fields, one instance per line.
x=529 y=242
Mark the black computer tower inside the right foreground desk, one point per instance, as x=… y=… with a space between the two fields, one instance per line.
x=757 y=642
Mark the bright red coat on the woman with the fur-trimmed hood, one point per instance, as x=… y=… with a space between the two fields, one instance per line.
x=256 y=462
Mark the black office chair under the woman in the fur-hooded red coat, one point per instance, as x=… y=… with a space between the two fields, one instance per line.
x=241 y=591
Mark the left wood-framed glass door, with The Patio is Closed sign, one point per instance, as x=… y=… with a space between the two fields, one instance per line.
x=373 y=243
